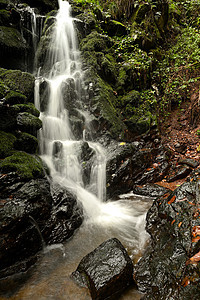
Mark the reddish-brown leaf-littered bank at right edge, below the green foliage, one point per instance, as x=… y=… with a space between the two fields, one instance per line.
x=180 y=132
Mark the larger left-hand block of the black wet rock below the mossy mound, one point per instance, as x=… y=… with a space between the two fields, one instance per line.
x=20 y=238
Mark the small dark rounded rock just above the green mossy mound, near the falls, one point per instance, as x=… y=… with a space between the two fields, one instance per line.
x=26 y=142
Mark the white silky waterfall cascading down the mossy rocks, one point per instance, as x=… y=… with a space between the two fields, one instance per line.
x=59 y=147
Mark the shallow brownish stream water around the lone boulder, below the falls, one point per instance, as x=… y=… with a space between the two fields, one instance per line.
x=50 y=277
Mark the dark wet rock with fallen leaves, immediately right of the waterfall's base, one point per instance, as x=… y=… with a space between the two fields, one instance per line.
x=131 y=166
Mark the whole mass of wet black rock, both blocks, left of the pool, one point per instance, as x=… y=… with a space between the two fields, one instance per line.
x=30 y=216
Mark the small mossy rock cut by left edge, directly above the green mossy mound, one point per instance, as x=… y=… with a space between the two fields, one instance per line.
x=7 y=141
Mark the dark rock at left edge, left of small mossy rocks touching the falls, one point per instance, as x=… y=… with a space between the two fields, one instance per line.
x=8 y=116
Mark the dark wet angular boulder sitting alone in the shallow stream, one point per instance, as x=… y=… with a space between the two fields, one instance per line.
x=106 y=271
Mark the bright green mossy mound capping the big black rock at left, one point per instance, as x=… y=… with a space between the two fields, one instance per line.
x=25 y=165
